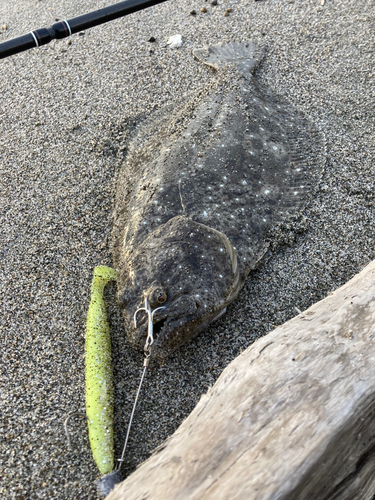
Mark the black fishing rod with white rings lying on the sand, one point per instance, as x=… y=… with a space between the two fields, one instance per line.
x=63 y=29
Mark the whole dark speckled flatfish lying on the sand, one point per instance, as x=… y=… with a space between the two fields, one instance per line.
x=202 y=185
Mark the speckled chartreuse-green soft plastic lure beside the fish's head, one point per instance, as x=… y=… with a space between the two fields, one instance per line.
x=99 y=385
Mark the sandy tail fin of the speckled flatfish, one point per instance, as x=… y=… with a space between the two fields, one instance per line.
x=245 y=55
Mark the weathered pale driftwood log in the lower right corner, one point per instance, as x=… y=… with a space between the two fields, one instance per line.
x=293 y=417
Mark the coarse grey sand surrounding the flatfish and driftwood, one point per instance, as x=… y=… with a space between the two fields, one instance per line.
x=64 y=110
